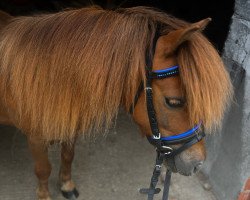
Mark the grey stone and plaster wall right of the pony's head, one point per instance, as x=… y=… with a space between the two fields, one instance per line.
x=228 y=163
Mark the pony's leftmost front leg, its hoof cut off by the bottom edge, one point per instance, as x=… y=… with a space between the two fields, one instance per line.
x=39 y=153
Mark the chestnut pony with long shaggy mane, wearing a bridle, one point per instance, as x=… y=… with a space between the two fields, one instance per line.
x=68 y=73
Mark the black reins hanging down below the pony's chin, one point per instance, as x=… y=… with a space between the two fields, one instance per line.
x=152 y=190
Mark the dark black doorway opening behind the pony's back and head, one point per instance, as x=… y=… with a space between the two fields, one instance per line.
x=192 y=11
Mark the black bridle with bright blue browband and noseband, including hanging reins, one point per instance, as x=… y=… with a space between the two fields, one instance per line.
x=163 y=145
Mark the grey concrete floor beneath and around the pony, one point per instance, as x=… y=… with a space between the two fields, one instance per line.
x=109 y=168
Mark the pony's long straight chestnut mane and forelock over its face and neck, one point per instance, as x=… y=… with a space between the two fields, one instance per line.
x=69 y=72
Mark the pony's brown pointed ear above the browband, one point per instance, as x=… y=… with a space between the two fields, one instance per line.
x=167 y=44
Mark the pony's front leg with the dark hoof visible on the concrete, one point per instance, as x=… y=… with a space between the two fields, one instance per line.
x=67 y=185
